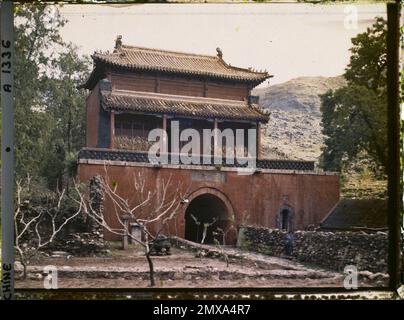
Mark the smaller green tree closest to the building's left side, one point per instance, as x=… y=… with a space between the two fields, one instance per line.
x=66 y=105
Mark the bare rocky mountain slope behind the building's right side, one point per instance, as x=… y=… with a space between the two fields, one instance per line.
x=294 y=130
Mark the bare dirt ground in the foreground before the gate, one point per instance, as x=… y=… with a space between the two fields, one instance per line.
x=182 y=269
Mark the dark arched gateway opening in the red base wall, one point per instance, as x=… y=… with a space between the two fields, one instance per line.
x=207 y=215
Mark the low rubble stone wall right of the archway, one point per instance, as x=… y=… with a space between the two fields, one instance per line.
x=332 y=250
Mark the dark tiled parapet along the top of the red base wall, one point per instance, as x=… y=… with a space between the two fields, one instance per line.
x=133 y=156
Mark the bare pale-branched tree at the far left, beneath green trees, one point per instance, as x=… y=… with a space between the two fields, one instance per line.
x=38 y=224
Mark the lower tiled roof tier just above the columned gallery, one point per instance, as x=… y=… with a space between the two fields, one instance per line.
x=147 y=102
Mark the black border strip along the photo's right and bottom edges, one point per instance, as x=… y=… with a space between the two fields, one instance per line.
x=395 y=254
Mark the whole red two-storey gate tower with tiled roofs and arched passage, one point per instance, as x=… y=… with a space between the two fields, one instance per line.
x=125 y=105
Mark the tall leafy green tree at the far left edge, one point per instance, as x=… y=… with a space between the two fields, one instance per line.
x=36 y=36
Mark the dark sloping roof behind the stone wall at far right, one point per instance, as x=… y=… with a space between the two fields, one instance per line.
x=350 y=214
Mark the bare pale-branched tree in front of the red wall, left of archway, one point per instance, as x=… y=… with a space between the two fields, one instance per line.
x=148 y=207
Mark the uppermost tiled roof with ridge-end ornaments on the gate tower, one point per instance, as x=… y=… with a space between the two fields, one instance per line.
x=171 y=62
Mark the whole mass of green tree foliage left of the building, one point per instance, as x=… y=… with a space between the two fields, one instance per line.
x=49 y=110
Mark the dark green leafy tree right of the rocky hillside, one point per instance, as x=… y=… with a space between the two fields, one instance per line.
x=354 y=117
